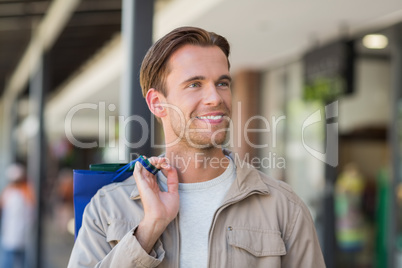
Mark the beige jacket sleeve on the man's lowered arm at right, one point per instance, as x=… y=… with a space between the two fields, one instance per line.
x=302 y=246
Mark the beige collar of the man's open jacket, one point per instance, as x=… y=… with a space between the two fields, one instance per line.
x=248 y=180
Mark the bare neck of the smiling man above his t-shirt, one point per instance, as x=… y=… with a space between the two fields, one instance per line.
x=196 y=165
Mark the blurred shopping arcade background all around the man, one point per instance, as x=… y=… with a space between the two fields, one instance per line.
x=317 y=103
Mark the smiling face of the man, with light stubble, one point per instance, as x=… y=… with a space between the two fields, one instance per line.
x=198 y=89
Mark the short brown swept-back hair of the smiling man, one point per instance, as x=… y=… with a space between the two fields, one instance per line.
x=154 y=68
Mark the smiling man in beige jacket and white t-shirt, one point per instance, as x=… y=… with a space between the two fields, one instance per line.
x=202 y=209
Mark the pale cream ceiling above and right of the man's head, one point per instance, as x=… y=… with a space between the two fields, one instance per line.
x=265 y=32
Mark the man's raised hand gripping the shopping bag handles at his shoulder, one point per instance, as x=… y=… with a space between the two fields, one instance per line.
x=160 y=208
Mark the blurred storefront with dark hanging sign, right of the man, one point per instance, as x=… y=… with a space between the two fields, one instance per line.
x=342 y=151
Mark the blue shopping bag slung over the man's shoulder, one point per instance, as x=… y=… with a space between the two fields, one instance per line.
x=88 y=182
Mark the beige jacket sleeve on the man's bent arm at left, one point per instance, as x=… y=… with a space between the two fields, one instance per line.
x=91 y=249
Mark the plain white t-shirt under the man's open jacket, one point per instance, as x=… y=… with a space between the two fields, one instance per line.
x=198 y=204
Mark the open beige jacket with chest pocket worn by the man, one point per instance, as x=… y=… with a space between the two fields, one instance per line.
x=261 y=223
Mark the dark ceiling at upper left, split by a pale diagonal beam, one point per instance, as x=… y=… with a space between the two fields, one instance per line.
x=92 y=24
